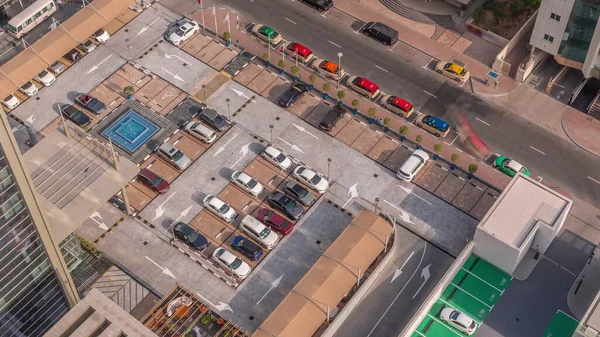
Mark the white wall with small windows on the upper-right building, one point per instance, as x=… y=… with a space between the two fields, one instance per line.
x=544 y=24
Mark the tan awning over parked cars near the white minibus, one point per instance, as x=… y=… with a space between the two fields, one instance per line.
x=52 y=46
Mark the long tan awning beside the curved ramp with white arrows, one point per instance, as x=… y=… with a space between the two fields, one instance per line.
x=305 y=308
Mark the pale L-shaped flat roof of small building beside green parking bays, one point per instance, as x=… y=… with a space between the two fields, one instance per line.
x=520 y=206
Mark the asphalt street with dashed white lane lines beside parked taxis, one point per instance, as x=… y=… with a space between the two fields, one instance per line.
x=558 y=162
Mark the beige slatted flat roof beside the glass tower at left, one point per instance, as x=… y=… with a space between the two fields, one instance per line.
x=74 y=179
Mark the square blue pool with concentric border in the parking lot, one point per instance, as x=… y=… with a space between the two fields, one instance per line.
x=131 y=131
